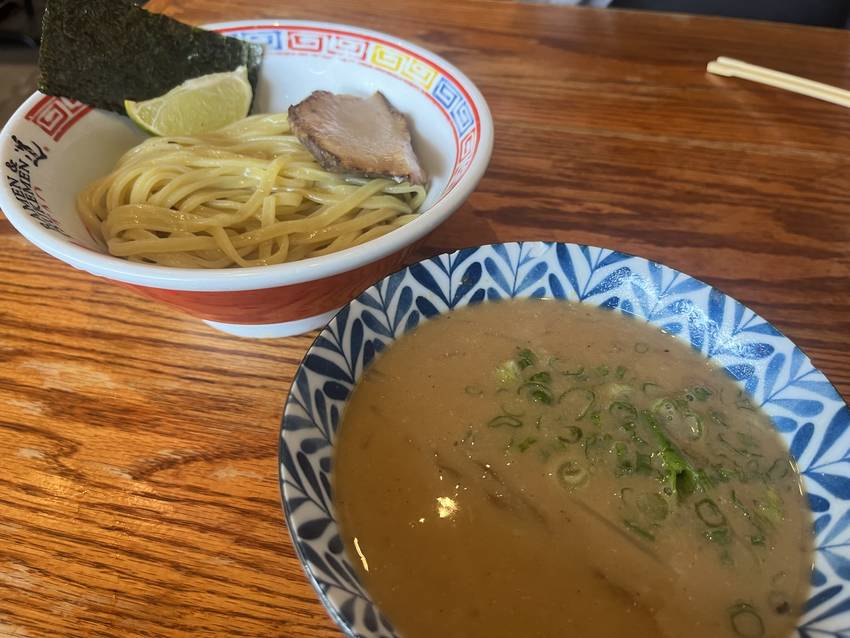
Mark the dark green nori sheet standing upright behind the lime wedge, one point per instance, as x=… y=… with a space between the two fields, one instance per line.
x=102 y=52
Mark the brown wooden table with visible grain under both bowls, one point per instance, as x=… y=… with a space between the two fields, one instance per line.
x=139 y=487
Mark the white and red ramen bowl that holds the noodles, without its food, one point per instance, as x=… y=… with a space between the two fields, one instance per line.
x=52 y=147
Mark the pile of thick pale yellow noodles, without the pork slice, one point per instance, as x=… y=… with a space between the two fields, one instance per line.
x=247 y=195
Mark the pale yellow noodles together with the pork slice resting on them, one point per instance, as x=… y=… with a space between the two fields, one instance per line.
x=334 y=172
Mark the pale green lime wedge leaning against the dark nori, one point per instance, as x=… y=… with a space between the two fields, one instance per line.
x=199 y=105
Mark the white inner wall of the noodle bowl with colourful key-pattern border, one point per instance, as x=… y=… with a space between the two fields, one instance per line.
x=80 y=144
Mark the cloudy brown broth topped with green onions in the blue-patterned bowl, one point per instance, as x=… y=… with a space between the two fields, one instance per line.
x=542 y=469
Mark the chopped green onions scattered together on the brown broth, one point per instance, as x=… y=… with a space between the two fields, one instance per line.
x=626 y=439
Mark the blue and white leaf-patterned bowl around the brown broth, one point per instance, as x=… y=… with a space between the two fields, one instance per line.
x=806 y=409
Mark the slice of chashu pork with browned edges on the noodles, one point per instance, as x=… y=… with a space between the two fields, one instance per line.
x=362 y=136
